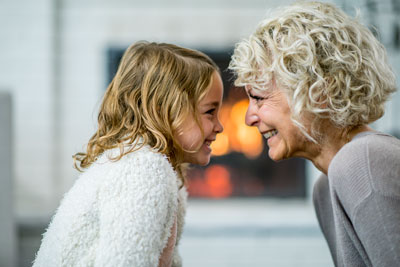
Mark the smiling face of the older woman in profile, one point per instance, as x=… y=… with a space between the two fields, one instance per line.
x=269 y=111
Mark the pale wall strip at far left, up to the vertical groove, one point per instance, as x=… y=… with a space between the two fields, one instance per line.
x=25 y=68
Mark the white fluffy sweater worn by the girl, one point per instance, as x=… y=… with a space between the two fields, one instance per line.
x=118 y=213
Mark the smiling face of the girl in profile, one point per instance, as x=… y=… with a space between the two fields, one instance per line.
x=189 y=135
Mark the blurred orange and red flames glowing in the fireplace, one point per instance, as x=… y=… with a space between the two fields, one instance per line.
x=216 y=181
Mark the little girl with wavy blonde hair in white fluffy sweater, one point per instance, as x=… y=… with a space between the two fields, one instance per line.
x=159 y=113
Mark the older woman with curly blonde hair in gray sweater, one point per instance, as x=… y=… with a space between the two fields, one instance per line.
x=316 y=78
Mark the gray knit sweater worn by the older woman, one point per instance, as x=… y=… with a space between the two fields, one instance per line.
x=358 y=203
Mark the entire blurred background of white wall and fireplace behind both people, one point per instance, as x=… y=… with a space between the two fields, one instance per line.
x=56 y=59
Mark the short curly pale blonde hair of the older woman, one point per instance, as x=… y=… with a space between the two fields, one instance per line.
x=329 y=65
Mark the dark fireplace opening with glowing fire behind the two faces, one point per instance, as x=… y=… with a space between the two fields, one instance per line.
x=240 y=166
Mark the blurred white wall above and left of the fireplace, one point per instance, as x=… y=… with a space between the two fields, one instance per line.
x=56 y=114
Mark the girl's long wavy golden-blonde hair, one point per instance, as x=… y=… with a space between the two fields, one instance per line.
x=156 y=87
